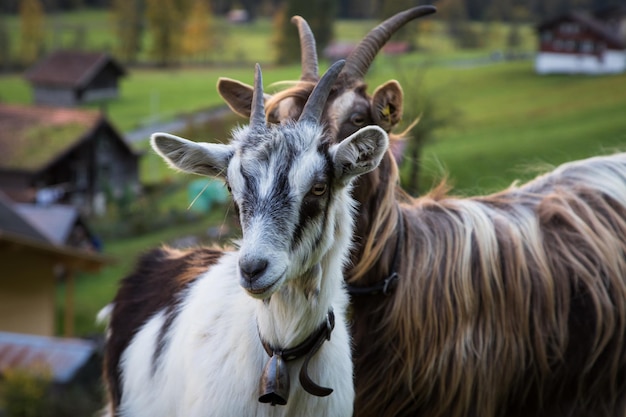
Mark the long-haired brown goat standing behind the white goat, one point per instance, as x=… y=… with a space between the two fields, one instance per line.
x=510 y=304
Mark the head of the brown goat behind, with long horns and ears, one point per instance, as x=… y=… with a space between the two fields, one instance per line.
x=349 y=106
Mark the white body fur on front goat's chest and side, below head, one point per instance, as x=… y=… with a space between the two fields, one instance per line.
x=214 y=359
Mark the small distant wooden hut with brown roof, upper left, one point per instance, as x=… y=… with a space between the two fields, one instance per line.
x=69 y=78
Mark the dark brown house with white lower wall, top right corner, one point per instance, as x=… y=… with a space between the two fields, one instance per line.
x=578 y=42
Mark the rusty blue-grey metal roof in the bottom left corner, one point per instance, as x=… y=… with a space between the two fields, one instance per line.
x=63 y=357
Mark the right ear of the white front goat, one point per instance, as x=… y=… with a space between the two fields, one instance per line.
x=359 y=153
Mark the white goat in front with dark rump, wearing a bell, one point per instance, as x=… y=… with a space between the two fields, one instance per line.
x=190 y=331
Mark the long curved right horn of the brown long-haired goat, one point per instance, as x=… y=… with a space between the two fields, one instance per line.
x=359 y=61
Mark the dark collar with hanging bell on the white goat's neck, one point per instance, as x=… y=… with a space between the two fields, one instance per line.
x=275 y=378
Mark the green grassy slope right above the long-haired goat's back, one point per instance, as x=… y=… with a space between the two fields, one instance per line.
x=513 y=120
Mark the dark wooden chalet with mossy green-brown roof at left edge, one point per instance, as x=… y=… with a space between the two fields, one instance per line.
x=66 y=156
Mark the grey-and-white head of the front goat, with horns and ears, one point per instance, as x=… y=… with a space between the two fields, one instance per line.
x=287 y=183
